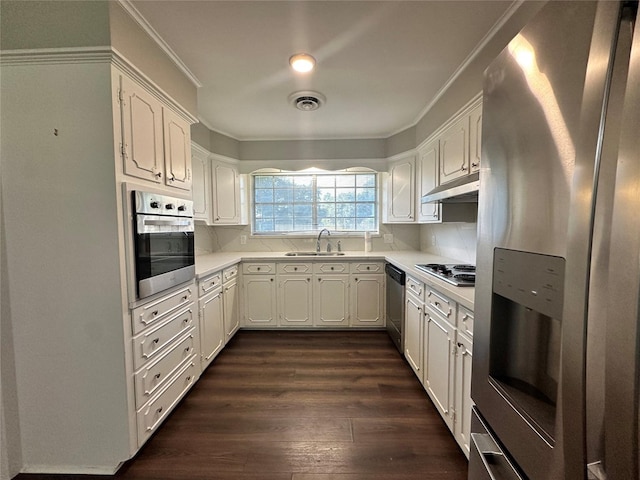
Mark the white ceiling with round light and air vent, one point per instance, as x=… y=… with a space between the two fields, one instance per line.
x=380 y=64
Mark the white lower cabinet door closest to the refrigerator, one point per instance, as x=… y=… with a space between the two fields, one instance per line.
x=462 y=393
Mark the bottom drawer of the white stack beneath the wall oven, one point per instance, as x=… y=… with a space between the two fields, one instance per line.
x=154 y=412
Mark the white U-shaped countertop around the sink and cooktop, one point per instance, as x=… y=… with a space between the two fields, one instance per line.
x=403 y=259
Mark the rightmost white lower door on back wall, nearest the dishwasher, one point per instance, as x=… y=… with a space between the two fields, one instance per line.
x=367 y=300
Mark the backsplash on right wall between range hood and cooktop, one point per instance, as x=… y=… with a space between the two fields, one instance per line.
x=453 y=240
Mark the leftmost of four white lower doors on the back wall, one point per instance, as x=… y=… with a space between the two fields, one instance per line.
x=260 y=301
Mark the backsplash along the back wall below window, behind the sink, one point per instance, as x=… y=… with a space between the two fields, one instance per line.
x=228 y=239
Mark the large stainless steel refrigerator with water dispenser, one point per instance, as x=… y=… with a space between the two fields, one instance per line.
x=556 y=359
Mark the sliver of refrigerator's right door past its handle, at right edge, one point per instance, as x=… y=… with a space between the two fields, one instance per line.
x=621 y=426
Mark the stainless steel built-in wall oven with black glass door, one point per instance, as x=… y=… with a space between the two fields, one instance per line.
x=163 y=241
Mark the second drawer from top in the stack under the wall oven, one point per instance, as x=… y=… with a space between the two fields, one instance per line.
x=149 y=344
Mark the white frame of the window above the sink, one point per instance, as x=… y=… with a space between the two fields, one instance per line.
x=314 y=232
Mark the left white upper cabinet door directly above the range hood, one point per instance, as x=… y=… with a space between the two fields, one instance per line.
x=454 y=151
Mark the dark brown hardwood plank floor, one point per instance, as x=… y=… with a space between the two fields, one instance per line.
x=284 y=405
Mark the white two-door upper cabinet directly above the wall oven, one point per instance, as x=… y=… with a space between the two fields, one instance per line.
x=155 y=138
